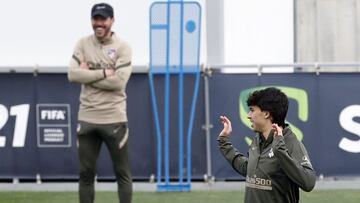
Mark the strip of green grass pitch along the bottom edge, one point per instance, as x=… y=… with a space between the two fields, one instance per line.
x=317 y=196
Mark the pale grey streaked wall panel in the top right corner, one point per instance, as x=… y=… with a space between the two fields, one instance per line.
x=328 y=31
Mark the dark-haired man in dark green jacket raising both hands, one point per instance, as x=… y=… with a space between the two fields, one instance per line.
x=277 y=163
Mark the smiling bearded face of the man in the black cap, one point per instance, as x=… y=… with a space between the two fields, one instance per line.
x=102 y=26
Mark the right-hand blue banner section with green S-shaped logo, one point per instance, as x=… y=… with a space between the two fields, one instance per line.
x=323 y=112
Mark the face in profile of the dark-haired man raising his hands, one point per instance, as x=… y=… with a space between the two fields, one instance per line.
x=258 y=118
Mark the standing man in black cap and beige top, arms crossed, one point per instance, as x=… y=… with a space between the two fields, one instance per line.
x=101 y=63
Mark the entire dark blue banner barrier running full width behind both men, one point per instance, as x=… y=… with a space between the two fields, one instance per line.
x=38 y=119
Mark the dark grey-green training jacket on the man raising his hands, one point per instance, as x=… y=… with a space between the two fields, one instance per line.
x=274 y=174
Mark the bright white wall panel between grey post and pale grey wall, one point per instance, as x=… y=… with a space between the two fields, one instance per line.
x=259 y=31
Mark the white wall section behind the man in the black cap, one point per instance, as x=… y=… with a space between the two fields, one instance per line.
x=44 y=32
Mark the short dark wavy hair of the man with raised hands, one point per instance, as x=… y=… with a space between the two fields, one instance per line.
x=272 y=100
